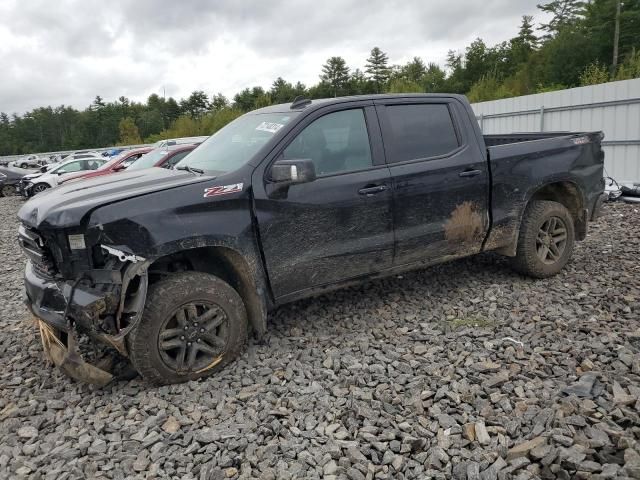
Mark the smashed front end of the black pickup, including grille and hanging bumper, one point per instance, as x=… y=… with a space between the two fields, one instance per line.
x=77 y=286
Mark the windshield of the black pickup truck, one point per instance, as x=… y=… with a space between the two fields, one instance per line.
x=234 y=145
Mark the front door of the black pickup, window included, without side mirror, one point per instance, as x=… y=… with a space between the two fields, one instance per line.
x=339 y=226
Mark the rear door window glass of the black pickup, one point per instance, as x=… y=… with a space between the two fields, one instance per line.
x=420 y=131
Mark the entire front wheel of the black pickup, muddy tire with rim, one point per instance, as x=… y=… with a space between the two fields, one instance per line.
x=193 y=324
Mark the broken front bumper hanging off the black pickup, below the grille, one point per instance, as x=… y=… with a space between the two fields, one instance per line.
x=104 y=304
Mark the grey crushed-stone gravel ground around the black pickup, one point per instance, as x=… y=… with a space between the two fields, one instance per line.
x=466 y=370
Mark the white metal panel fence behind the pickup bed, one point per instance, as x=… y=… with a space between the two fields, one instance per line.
x=611 y=107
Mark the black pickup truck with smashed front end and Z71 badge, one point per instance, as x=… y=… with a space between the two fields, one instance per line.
x=174 y=268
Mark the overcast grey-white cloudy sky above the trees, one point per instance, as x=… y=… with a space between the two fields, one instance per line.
x=69 y=51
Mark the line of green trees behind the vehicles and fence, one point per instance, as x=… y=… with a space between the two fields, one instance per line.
x=583 y=43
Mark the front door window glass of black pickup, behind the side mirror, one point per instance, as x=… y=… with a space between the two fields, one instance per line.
x=337 y=142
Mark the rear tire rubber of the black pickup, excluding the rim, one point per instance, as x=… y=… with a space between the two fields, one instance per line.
x=527 y=260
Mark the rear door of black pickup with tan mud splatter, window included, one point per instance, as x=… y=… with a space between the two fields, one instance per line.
x=440 y=179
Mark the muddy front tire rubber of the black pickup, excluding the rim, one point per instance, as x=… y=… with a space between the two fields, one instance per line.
x=164 y=298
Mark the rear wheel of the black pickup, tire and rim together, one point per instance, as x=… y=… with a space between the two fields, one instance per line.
x=546 y=239
